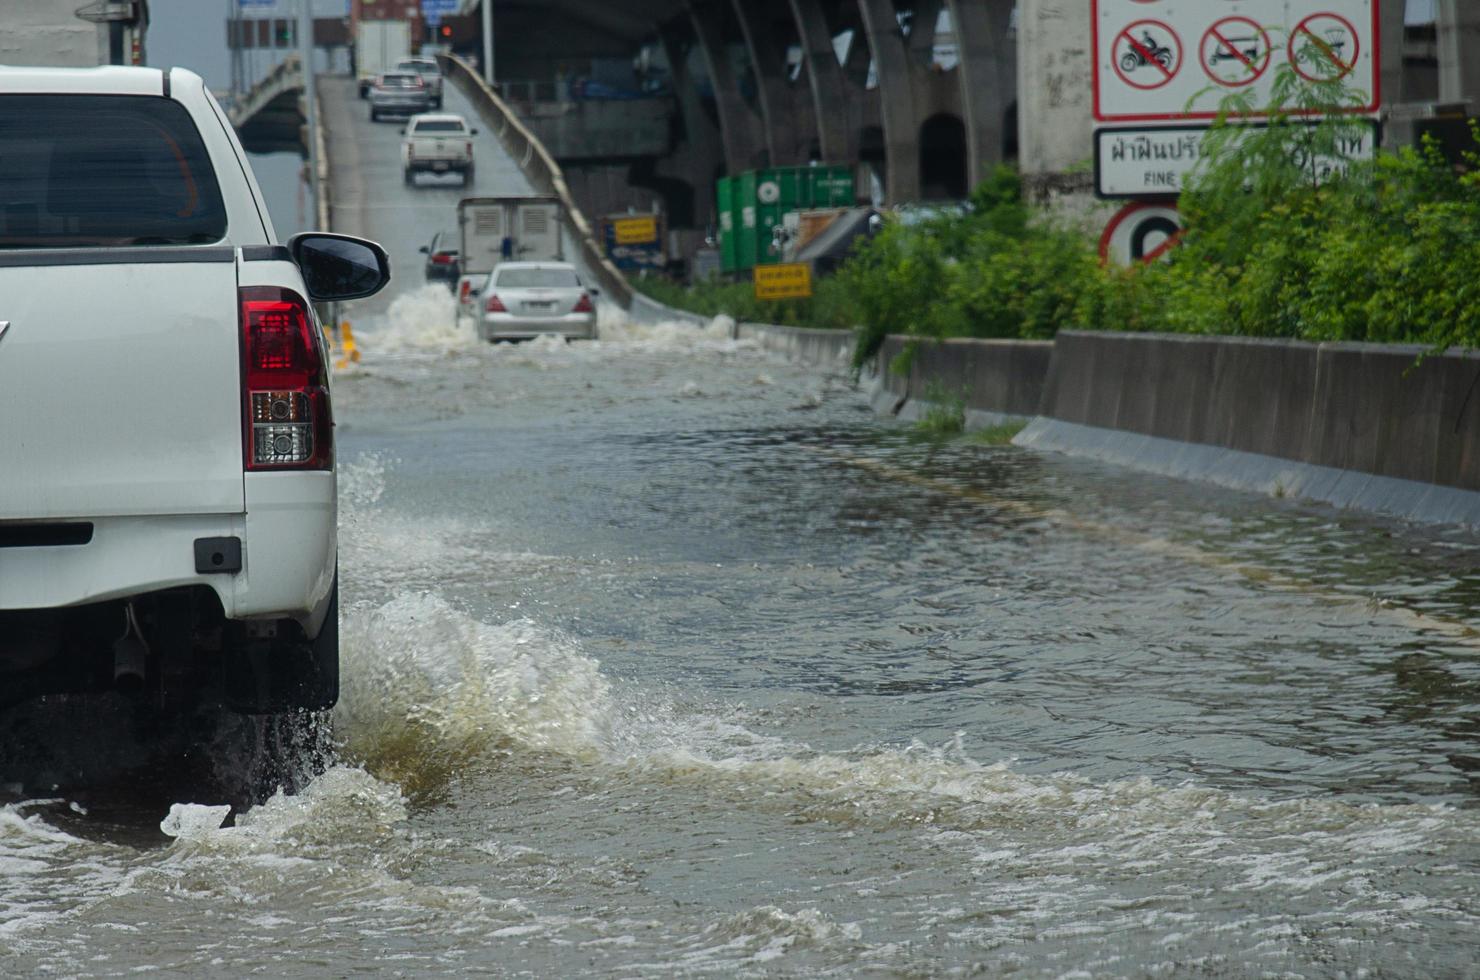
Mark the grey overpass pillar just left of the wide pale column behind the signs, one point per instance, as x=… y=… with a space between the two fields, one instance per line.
x=988 y=78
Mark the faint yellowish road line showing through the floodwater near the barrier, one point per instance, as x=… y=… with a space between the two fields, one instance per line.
x=1411 y=620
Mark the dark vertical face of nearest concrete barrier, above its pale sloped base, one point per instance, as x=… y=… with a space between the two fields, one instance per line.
x=1346 y=406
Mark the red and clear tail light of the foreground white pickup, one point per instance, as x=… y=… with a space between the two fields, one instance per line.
x=286 y=415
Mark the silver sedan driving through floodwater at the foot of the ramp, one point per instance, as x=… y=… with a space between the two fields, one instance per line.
x=529 y=300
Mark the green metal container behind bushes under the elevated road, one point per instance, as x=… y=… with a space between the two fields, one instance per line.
x=754 y=204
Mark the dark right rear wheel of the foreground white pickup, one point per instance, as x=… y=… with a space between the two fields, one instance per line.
x=264 y=676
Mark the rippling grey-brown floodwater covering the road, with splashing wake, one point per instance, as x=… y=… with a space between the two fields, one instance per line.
x=668 y=658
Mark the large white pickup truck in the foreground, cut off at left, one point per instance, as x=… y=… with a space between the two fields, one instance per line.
x=168 y=500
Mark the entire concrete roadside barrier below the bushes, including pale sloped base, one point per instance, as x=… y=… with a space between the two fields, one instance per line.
x=1350 y=424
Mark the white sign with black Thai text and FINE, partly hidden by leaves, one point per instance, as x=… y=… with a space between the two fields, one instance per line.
x=1157 y=161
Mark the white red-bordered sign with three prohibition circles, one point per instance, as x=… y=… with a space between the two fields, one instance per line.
x=1177 y=60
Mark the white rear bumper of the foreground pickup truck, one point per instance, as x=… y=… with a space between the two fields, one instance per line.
x=288 y=556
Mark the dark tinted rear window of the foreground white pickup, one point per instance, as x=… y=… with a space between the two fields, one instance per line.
x=104 y=171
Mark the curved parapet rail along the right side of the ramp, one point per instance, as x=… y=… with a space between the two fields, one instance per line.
x=536 y=162
